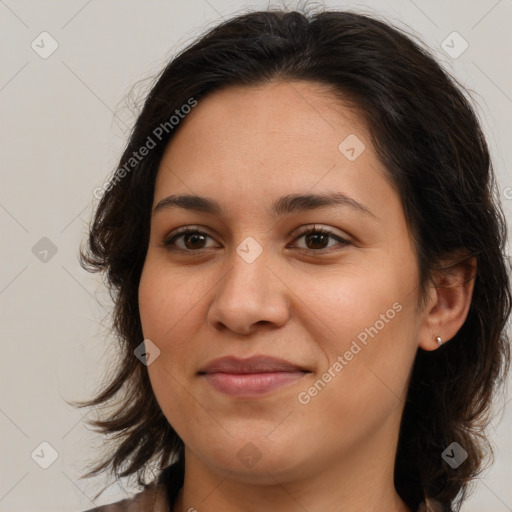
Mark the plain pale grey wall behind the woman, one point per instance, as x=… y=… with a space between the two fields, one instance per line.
x=63 y=129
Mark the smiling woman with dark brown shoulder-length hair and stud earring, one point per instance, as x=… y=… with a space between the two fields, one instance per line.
x=306 y=255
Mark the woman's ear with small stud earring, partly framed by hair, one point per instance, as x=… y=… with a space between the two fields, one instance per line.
x=449 y=298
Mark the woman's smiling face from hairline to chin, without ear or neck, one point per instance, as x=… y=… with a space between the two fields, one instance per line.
x=319 y=328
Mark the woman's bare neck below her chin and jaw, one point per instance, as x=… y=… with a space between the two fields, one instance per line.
x=360 y=481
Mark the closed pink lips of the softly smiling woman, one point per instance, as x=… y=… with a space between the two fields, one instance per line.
x=252 y=377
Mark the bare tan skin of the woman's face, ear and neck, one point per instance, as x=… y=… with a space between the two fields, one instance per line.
x=246 y=147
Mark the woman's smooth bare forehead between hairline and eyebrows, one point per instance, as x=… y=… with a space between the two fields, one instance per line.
x=258 y=143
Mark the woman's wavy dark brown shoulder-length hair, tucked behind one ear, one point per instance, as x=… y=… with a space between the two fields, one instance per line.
x=429 y=139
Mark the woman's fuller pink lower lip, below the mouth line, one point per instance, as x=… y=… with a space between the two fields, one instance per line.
x=245 y=385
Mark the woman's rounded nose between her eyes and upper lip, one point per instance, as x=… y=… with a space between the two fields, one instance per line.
x=249 y=294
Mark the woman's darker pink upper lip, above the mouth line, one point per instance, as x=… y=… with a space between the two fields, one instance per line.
x=254 y=364
